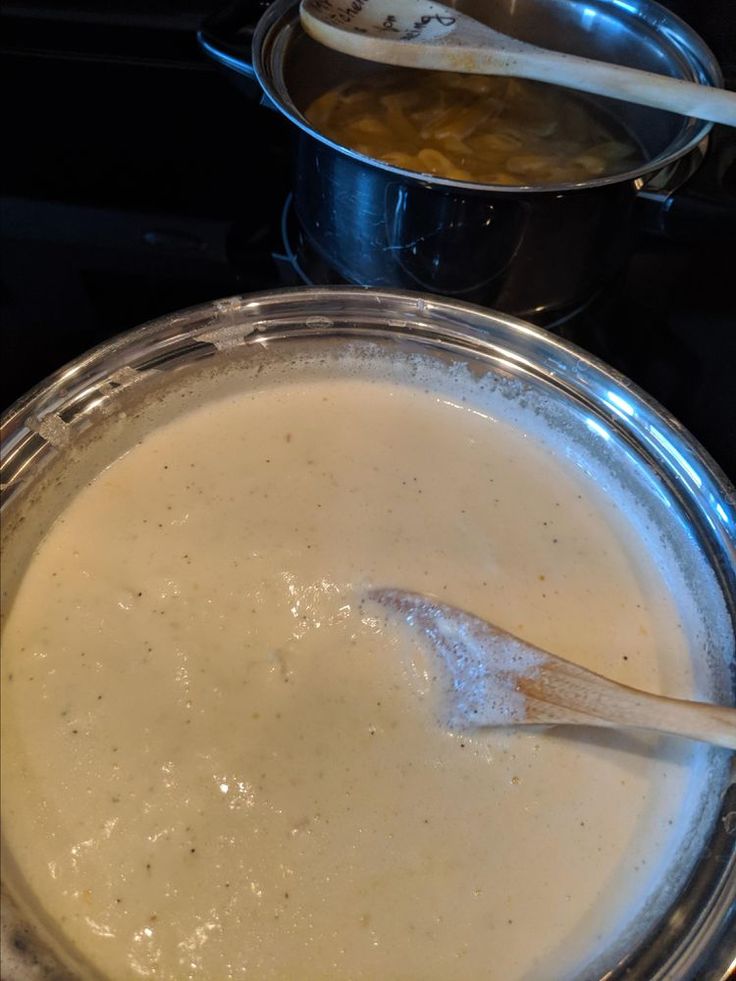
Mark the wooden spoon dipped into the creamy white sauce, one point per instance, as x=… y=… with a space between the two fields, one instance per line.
x=496 y=679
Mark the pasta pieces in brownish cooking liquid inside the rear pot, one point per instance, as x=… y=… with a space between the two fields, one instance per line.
x=472 y=128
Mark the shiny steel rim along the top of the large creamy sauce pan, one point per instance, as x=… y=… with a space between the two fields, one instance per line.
x=628 y=408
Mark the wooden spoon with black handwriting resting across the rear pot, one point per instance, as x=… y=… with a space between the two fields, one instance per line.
x=425 y=34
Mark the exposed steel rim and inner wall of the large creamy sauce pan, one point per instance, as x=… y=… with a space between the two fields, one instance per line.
x=620 y=426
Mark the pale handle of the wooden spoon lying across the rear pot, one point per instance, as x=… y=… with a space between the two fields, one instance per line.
x=629 y=84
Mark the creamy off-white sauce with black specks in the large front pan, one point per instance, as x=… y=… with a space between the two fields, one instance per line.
x=219 y=762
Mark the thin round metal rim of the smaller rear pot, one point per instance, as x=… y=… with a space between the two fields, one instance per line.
x=283 y=15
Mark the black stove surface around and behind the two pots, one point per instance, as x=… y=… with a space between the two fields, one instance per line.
x=137 y=181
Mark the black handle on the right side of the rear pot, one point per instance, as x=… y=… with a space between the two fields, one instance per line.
x=702 y=209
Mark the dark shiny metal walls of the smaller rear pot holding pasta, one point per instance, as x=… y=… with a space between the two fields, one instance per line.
x=539 y=252
